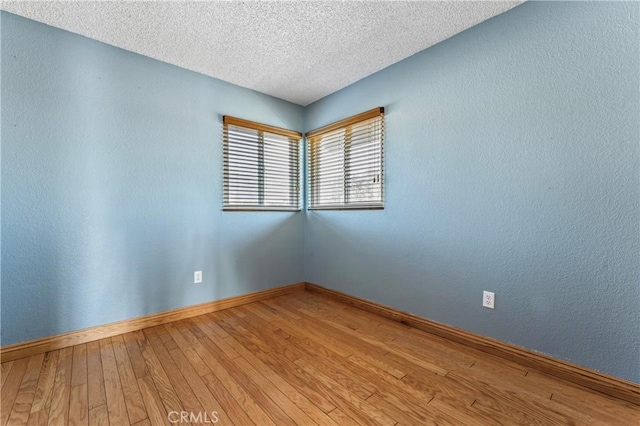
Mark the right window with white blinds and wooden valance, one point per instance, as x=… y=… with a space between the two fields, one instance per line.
x=346 y=163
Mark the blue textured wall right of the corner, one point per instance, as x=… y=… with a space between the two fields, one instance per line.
x=512 y=165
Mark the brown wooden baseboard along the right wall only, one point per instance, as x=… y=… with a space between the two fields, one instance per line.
x=606 y=384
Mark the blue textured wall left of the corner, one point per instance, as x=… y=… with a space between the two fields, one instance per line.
x=111 y=187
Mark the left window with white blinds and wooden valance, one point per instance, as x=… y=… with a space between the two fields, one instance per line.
x=261 y=166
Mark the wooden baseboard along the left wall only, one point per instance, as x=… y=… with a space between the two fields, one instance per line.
x=34 y=347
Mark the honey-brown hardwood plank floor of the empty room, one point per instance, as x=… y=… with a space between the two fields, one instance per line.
x=295 y=359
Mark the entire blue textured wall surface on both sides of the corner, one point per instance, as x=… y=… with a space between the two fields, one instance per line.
x=512 y=165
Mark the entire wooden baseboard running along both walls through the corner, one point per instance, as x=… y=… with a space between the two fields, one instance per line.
x=606 y=384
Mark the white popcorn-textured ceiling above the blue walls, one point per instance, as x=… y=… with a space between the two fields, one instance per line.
x=300 y=51
